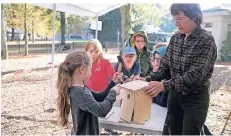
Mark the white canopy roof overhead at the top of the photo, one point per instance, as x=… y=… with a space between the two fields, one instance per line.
x=89 y=10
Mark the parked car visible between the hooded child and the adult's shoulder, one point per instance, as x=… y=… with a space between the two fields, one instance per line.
x=160 y=39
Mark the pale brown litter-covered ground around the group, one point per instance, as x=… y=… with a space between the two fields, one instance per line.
x=25 y=97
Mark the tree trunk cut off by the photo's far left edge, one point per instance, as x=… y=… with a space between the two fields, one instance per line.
x=4 y=50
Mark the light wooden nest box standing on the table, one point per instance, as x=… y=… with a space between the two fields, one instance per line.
x=136 y=104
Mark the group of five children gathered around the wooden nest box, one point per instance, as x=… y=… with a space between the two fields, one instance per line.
x=87 y=83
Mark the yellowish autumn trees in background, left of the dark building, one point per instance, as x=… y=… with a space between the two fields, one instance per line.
x=33 y=19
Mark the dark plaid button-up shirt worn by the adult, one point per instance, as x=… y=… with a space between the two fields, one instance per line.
x=190 y=62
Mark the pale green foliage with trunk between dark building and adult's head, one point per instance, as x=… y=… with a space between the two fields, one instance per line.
x=135 y=16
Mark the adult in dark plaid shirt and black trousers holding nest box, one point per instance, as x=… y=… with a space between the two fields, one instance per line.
x=190 y=59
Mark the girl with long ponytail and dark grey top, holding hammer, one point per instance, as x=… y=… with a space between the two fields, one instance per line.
x=74 y=96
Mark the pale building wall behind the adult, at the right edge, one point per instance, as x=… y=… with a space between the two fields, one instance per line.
x=219 y=28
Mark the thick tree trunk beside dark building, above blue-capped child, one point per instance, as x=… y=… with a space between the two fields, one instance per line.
x=125 y=22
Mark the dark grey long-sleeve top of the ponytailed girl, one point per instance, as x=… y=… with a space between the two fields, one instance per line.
x=87 y=106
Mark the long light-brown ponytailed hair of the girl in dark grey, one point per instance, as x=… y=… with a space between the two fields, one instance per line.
x=73 y=60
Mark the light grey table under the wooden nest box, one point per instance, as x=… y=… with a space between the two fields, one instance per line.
x=153 y=126
